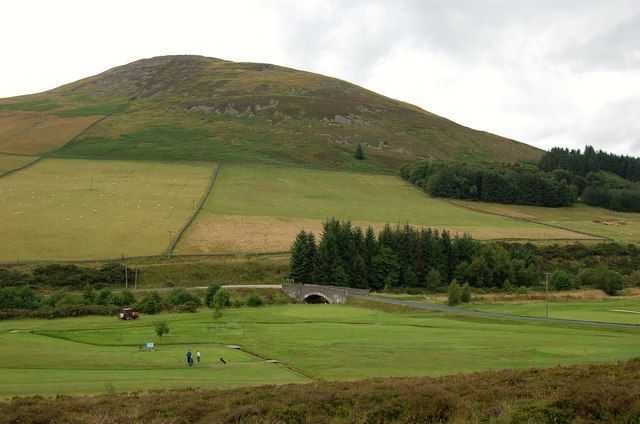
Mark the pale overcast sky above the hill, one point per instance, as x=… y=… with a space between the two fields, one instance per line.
x=543 y=72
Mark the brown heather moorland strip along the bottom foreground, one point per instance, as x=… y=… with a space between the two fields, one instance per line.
x=578 y=394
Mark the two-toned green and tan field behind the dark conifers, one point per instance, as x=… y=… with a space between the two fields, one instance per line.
x=257 y=208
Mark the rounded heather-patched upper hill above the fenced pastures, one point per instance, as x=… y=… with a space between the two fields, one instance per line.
x=199 y=108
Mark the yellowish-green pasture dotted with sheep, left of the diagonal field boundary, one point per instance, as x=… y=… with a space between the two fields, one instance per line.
x=81 y=209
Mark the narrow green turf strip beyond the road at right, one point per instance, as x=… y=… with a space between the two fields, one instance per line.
x=615 y=310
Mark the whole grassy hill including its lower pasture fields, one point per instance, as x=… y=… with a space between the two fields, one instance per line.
x=261 y=124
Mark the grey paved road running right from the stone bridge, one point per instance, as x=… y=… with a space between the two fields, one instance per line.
x=495 y=315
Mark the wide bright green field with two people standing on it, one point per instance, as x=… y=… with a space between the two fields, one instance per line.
x=319 y=342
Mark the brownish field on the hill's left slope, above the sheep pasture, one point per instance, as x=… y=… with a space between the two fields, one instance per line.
x=32 y=133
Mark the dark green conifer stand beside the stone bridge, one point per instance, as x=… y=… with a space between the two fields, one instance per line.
x=403 y=257
